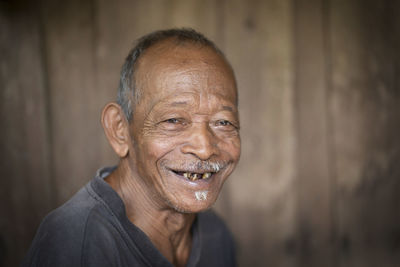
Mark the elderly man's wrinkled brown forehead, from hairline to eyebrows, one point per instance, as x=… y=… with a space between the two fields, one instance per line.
x=169 y=66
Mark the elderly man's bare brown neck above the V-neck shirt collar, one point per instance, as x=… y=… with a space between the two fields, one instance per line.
x=168 y=229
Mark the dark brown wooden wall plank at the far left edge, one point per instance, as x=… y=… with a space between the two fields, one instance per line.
x=25 y=187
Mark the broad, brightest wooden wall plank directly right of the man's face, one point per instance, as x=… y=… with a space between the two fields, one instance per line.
x=258 y=41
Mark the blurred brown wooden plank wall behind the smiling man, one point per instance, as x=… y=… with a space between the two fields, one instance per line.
x=319 y=84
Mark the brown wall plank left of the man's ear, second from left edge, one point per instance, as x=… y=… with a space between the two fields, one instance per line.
x=75 y=109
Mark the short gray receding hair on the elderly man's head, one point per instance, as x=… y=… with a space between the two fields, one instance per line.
x=128 y=93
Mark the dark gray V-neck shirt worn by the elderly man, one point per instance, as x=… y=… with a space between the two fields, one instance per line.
x=92 y=229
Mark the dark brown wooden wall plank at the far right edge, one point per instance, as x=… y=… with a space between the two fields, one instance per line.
x=366 y=110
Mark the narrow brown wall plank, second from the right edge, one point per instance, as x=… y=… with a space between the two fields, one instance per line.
x=314 y=180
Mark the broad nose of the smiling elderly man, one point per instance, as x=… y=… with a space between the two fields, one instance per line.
x=202 y=142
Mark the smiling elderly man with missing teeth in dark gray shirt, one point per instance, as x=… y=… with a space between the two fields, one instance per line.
x=175 y=129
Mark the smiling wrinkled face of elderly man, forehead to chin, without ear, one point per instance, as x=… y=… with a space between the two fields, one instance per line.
x=185 y=128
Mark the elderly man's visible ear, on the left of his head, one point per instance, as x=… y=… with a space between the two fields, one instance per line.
x=116 y=128
